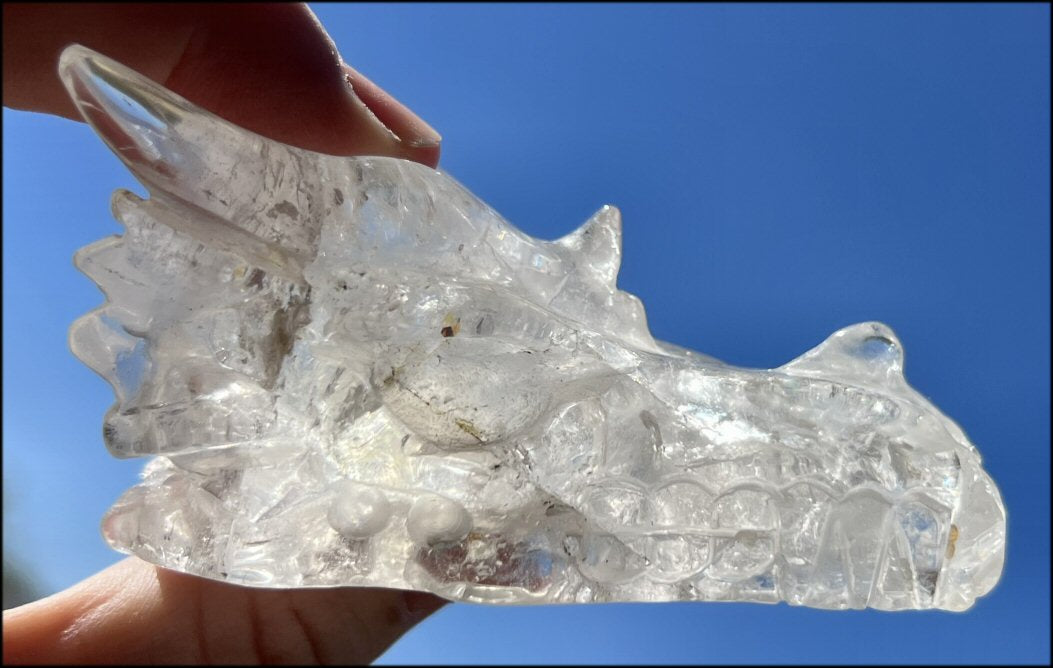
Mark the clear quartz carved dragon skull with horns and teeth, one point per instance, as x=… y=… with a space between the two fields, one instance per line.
x=351 y=371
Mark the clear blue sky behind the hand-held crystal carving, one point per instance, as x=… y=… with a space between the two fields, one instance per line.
x=783 y=172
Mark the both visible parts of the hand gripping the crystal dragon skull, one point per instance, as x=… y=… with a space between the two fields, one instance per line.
x=273 y=70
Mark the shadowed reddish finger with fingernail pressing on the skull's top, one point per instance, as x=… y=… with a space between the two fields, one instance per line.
x=269 y=68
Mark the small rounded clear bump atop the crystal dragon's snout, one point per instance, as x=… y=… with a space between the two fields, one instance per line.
x=867 y=355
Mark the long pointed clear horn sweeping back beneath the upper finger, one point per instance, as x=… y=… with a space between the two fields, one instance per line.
x=188 y=156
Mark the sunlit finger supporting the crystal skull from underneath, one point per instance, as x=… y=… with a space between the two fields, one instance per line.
x=134 y=613
